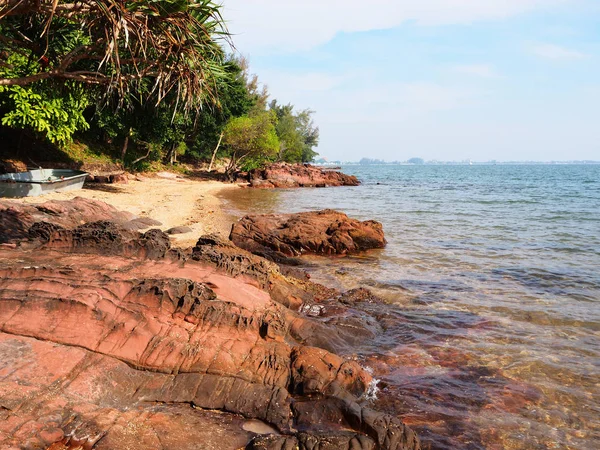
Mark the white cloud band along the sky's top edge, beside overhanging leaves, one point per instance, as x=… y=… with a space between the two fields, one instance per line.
x=291 y=25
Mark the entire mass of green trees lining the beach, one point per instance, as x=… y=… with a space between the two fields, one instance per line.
x=146 y=80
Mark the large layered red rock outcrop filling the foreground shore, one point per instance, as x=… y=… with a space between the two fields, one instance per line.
x=111 y=339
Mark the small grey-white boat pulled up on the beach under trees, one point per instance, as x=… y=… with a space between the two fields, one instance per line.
x=40 y=181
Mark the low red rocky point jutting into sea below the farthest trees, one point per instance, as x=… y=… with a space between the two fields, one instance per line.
x=284 y=175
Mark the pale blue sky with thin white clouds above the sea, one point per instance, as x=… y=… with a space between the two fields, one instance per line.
x=506 y=80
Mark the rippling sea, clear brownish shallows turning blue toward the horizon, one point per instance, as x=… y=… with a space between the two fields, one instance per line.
x=491 y=276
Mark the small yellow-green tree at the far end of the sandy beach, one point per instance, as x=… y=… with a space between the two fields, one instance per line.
x=250 y=140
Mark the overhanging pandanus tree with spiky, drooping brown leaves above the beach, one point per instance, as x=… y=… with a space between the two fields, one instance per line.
x=116 y=44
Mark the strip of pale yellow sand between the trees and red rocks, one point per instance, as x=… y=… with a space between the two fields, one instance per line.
x=172 y=200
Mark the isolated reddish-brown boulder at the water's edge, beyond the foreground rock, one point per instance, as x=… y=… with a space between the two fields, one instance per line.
x=324 y=232
